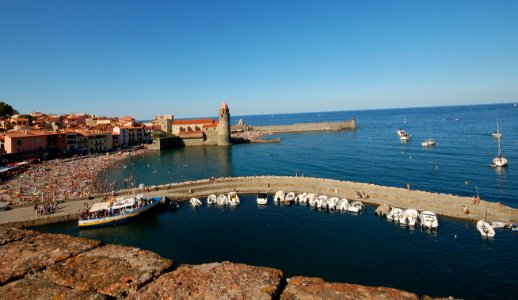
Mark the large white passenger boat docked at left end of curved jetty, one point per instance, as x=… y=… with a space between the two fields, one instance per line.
x=116 y=211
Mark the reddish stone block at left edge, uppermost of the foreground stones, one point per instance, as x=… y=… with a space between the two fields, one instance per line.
x=38 y=252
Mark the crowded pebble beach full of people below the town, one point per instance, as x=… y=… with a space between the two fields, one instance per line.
x=61 y=179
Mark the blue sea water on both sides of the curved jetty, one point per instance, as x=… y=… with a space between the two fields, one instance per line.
x=343 y=247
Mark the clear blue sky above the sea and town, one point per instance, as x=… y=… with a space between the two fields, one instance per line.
x=143 y=58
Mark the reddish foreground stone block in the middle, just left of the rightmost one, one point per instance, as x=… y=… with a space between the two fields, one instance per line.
x=215 y=281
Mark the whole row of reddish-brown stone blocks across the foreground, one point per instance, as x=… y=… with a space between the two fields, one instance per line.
x=55 y=266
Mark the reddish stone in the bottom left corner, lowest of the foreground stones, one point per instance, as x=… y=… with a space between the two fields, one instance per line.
x=37 y=289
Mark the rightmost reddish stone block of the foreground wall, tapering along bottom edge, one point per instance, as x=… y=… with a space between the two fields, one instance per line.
x=316 y=288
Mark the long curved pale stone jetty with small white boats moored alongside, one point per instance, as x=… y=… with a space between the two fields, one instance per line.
x=442 y=204
